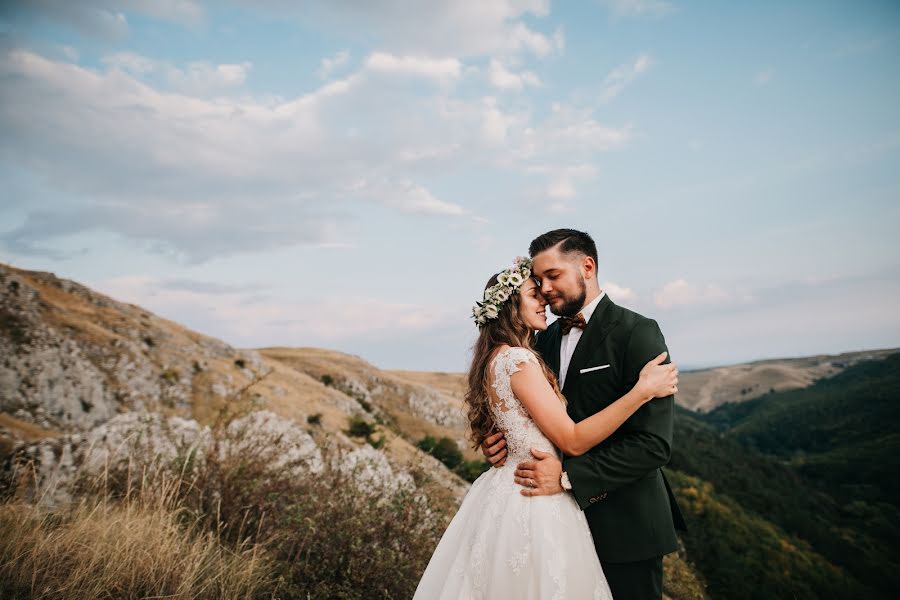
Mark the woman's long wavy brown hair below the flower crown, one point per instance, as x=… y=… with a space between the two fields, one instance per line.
x=508 y=328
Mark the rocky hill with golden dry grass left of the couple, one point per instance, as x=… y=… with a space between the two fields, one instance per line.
x=77 y=364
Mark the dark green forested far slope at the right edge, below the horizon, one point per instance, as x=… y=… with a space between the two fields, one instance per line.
x=835 y=432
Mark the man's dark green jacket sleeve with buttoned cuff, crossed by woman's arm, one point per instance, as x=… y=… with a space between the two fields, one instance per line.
x=642 y=444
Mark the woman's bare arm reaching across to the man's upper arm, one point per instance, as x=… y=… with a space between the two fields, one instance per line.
x=534 y=392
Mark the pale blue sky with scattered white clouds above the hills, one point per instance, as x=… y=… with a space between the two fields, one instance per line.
x=349 y=174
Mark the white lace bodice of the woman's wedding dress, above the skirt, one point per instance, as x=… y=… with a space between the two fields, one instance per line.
x=521 y=432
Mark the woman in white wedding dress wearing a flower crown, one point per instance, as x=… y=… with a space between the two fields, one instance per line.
x=502 y=544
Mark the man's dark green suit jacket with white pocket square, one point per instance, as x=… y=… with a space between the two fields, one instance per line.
x=618 y=483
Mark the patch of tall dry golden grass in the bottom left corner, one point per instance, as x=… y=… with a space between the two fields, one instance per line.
x=141 y=548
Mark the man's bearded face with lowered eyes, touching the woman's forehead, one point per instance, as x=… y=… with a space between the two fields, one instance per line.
x=561 y=279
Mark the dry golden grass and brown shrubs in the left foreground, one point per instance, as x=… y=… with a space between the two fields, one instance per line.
x=227 y=526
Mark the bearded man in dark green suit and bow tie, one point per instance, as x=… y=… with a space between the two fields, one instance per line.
x=597 y=350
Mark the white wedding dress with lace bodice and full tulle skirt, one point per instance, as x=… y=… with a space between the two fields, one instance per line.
x=502 y=544
